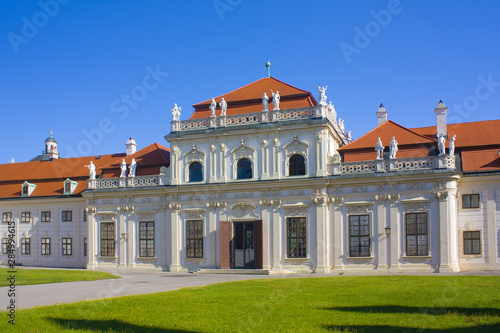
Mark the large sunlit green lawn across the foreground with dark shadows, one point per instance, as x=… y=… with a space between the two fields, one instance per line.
x=343 y=304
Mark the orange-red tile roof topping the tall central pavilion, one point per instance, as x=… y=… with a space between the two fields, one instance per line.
x=248 y=98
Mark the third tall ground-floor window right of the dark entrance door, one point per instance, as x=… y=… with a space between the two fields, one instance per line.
x=416 y=234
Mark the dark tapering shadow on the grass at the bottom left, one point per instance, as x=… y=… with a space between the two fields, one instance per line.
x=108 y=326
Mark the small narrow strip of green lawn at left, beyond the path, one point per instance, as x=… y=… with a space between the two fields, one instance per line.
x=40 y=276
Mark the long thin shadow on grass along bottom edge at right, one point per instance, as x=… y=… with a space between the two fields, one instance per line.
x=368 y=328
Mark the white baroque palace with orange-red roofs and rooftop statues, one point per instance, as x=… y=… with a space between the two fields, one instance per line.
x=266 y=178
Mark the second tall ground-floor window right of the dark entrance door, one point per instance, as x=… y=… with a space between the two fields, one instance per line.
x=359 y=235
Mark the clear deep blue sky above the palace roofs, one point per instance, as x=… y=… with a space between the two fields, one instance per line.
x=69 y=65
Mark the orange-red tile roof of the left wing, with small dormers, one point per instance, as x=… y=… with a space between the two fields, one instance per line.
x=50 y=175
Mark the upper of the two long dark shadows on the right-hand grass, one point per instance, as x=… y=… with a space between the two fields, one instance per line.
x=419 y=310
